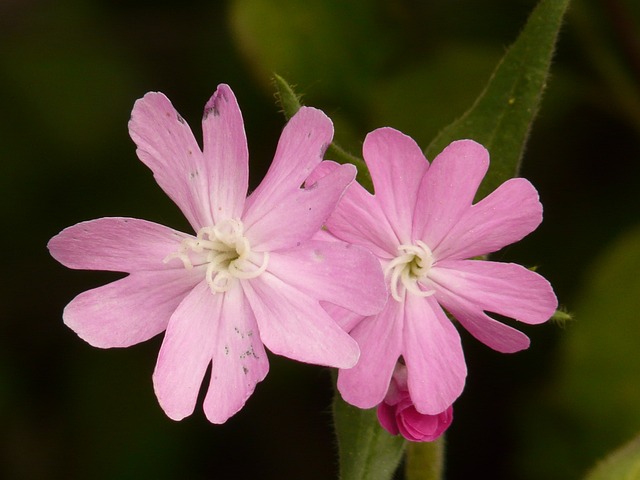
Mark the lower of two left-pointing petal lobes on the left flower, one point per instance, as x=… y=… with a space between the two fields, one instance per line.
x=130 y=310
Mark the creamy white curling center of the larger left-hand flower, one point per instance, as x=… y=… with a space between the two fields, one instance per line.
x=226 y=252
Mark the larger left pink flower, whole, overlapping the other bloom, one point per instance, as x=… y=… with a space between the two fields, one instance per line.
x=250 y=277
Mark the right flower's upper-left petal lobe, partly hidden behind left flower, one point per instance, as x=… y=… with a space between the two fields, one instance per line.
x=358 y=218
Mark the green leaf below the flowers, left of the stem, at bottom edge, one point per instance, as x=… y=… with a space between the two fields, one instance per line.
x=367 y=451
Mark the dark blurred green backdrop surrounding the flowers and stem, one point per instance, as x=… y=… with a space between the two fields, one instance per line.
x=70 y=71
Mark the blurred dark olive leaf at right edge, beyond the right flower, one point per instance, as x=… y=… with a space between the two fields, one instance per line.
x=594 y=403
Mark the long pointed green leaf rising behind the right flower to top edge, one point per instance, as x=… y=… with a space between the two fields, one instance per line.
x=501 y=117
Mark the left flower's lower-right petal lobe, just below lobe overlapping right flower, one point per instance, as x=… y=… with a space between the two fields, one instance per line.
x=294 y=325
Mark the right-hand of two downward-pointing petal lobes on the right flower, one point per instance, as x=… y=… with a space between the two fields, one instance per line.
x=433 y=354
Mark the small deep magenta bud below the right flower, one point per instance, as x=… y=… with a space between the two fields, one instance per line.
x=398 y=415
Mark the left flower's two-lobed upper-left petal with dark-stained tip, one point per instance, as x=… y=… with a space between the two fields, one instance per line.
x=206 y=187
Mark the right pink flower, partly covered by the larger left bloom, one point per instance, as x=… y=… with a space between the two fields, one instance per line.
x=424 y=229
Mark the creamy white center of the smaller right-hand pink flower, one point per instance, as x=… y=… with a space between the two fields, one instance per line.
x=409 y=269
